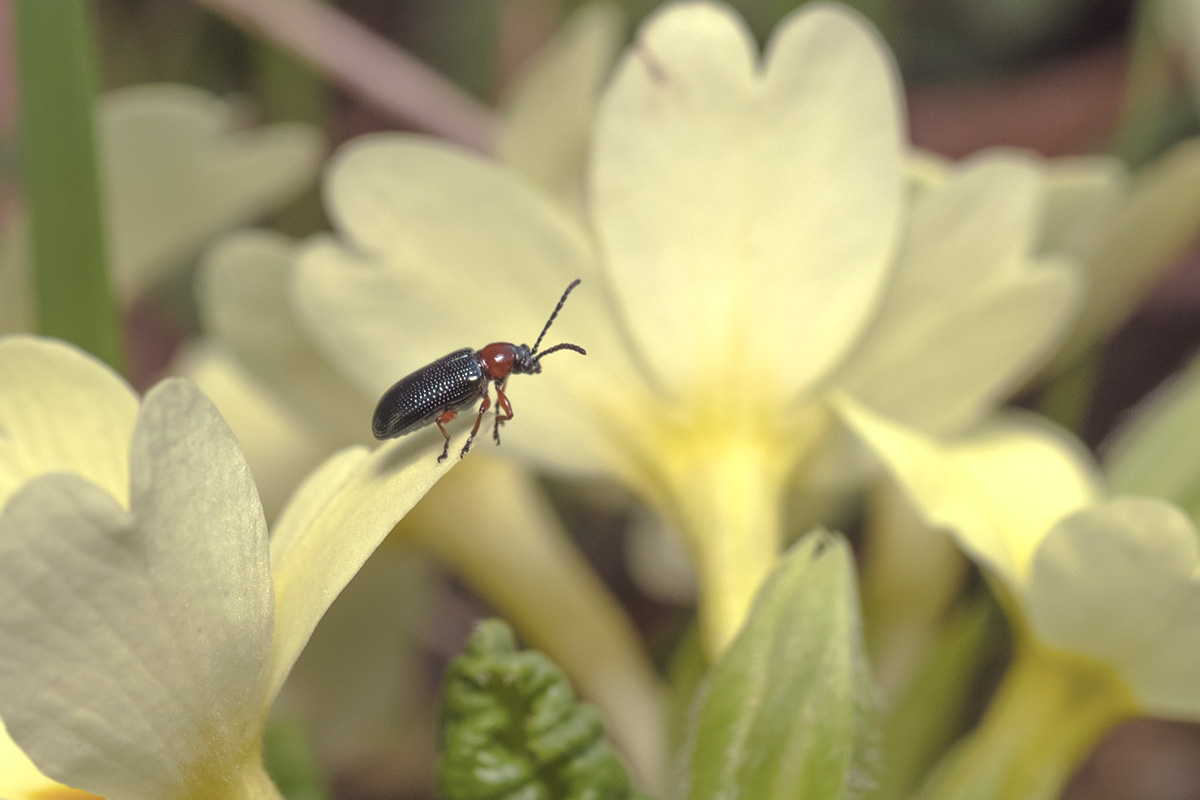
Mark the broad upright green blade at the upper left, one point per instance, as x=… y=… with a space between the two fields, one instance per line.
x=56 y=64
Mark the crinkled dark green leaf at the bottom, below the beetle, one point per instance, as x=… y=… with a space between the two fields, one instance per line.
x=513 y=730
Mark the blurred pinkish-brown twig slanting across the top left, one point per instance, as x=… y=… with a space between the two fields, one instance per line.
x=367 y=65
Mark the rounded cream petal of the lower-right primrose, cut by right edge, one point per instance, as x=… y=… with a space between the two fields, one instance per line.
x=1120 y=582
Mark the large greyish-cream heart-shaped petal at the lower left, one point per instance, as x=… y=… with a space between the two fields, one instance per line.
x=136 y=643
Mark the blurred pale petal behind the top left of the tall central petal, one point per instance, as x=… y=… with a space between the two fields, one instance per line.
x=548 y=118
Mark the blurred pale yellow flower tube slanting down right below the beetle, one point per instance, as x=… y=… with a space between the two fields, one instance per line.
x=491 y=525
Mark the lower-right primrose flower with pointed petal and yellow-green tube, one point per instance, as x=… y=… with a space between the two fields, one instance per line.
x=1103 y=594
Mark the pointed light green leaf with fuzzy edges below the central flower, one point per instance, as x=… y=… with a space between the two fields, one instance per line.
x=784 y=711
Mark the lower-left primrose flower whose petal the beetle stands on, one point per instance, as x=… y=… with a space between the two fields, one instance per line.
x=147 y=623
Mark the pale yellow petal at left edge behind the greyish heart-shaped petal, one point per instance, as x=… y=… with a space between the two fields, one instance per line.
x=63 y=411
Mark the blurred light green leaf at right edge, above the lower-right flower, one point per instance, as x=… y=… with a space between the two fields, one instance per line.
x=1159 y=452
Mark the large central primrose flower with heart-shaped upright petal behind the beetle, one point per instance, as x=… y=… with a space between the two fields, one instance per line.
x=751 y=240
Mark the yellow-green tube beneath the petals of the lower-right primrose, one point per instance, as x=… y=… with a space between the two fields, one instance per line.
x=1046 y=718
